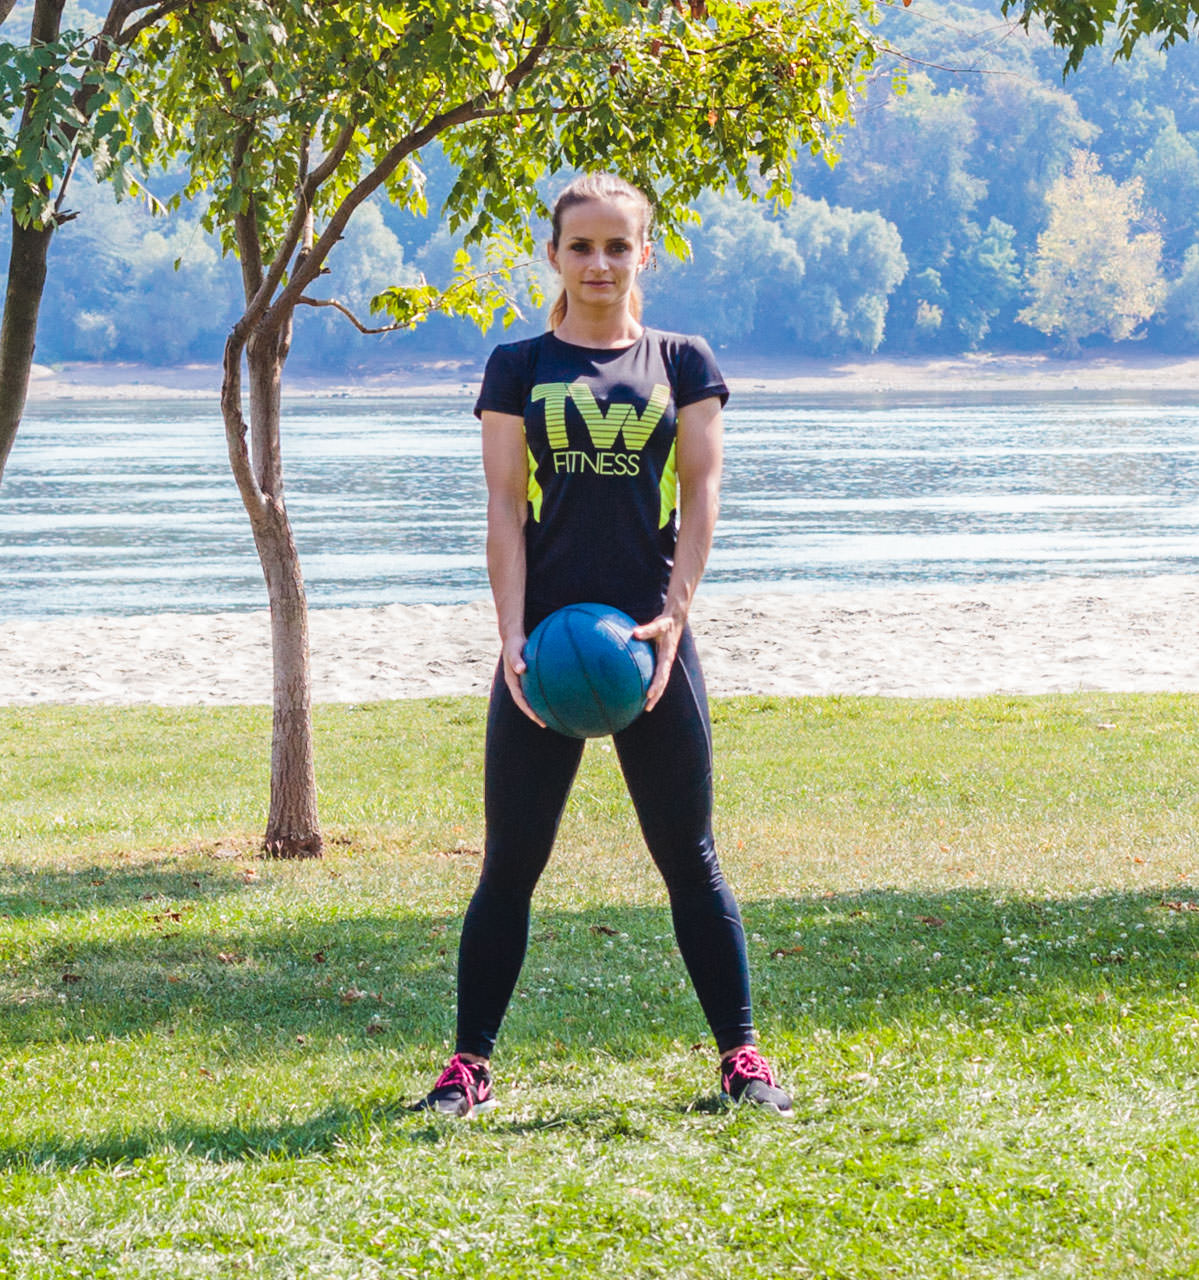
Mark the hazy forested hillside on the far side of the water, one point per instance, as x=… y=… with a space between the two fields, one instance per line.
x=992 y=204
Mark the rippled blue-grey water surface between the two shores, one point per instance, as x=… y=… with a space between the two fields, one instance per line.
x=118 y=508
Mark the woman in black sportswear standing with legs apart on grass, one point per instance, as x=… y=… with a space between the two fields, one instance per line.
x=602 y=451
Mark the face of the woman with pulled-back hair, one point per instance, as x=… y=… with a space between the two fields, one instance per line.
x=601 y=249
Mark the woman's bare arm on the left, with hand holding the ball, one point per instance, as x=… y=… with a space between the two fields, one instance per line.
x=506 y=468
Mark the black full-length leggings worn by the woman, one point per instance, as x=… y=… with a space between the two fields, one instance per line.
x=666 y=757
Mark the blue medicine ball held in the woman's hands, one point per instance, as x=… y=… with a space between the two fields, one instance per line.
x=587 y=675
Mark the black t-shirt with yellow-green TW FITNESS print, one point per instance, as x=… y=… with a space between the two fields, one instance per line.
x=603 y=488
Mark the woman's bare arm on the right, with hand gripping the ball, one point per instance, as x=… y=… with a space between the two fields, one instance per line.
x=699 y=455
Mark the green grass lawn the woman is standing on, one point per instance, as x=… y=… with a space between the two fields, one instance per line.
x=974 y=931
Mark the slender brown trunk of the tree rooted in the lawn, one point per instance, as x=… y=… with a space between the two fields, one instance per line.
x=292 y=825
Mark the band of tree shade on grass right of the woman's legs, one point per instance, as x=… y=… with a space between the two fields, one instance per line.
x=850 y=961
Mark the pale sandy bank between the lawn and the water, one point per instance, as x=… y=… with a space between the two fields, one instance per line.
x=1056 y=637
